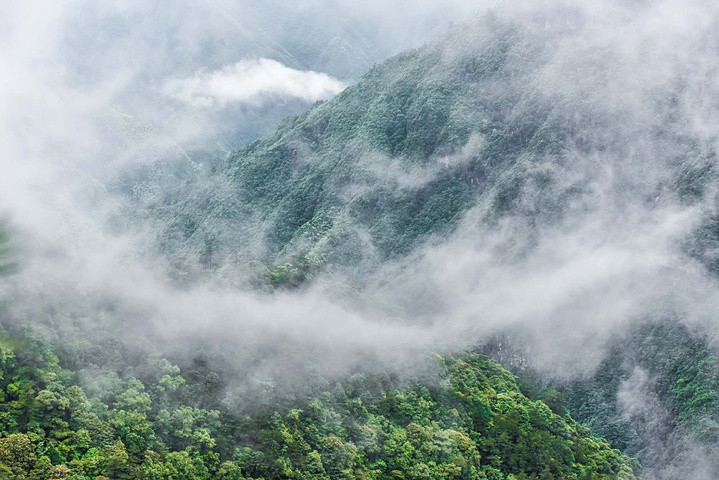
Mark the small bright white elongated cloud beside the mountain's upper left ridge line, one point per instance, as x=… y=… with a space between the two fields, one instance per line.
x=252 y=82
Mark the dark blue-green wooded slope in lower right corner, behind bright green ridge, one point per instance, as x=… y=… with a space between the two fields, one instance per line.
x=670 y=415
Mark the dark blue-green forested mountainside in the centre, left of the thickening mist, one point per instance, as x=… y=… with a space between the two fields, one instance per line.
x=384 y=166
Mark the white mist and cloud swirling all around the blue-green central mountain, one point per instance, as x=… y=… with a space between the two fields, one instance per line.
x=595 y=243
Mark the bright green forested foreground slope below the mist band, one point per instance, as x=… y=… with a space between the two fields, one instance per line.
x=473 y=424
